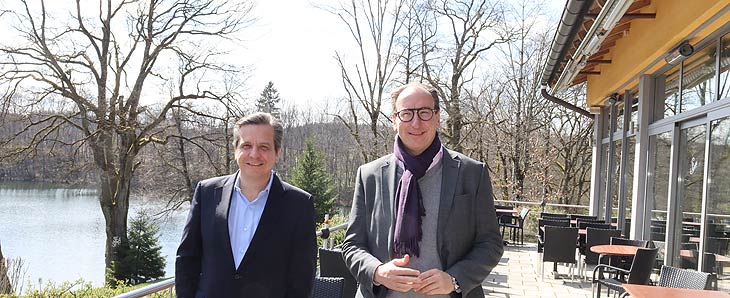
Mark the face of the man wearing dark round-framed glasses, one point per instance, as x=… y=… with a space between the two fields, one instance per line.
x=416 y=134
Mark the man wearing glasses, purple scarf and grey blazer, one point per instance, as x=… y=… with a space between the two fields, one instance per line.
x=422 y=220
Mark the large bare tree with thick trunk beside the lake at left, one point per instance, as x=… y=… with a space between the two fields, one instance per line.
x=94 y=72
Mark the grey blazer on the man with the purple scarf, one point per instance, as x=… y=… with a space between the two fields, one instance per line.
x=469 y=244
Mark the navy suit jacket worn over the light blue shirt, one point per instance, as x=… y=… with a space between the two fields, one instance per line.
x=280 y=262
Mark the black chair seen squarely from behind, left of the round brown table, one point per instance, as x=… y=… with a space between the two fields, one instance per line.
x=559 y=247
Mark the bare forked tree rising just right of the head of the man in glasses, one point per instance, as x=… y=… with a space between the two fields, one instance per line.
x=449 y=62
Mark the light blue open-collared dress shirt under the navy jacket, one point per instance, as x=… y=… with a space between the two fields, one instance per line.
x=244 y=217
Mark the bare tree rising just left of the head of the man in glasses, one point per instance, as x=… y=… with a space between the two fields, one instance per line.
x=374 y=26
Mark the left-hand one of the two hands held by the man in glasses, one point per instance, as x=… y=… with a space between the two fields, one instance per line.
x=395 y=276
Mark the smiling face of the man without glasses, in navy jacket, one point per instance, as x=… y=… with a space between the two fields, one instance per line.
x=255 y=153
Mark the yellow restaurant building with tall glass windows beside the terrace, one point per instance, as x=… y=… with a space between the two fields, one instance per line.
x=657 y=83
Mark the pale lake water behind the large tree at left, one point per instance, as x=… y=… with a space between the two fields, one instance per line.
x=59 y=232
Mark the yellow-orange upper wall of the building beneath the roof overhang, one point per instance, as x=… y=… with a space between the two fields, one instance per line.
x=650 y=39
